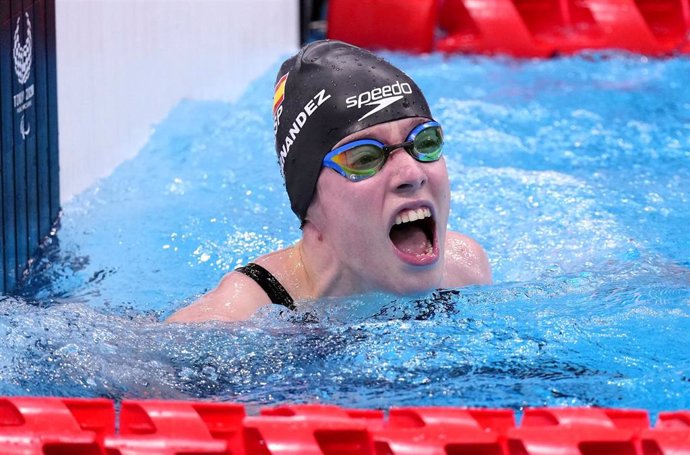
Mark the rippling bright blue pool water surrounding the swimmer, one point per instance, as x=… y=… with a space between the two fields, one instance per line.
x=573 y=173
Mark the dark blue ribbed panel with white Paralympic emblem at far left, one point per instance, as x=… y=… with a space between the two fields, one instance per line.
x=29 y=187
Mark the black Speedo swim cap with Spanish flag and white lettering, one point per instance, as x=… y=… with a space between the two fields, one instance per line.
x=326 y=92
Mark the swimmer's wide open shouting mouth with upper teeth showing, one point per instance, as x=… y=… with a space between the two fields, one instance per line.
x=413 y=236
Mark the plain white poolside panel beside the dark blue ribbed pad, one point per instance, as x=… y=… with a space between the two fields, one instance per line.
x=123 y=64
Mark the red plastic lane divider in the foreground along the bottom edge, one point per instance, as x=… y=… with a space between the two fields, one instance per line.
x=67 y=426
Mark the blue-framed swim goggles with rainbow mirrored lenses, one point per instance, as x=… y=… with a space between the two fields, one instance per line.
x=361 y=159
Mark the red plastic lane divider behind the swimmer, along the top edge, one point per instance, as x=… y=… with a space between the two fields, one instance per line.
x=521 y=28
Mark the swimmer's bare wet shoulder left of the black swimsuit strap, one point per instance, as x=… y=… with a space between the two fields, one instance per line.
x=236 y=298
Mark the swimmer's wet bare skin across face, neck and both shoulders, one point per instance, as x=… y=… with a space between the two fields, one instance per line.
x=346 y=245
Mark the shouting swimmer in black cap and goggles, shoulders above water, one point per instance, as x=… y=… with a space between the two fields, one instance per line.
x=362 y=159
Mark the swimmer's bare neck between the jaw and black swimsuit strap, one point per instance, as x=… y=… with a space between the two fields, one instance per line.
x=325 y=275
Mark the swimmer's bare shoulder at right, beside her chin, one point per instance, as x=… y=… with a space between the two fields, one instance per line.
x=466 y=262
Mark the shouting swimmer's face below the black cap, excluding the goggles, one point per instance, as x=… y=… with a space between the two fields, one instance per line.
x=387 y=231
